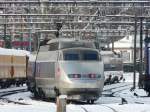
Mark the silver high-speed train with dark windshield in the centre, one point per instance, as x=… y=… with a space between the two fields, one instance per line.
x=67 y=66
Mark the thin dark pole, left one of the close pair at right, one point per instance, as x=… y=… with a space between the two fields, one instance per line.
x=135 y=37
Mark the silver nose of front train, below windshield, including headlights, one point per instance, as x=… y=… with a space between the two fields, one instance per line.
x=81 y=74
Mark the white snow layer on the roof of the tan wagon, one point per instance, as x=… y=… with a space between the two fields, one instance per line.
x=4 y=51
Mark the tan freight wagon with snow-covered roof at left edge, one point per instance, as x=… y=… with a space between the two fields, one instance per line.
x=13 y=67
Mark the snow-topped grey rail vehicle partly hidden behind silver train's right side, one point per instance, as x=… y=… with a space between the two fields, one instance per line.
x=113 y=67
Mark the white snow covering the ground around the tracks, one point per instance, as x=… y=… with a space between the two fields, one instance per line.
x=135 y=103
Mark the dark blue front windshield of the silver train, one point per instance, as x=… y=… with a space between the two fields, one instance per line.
x=80 y=55
